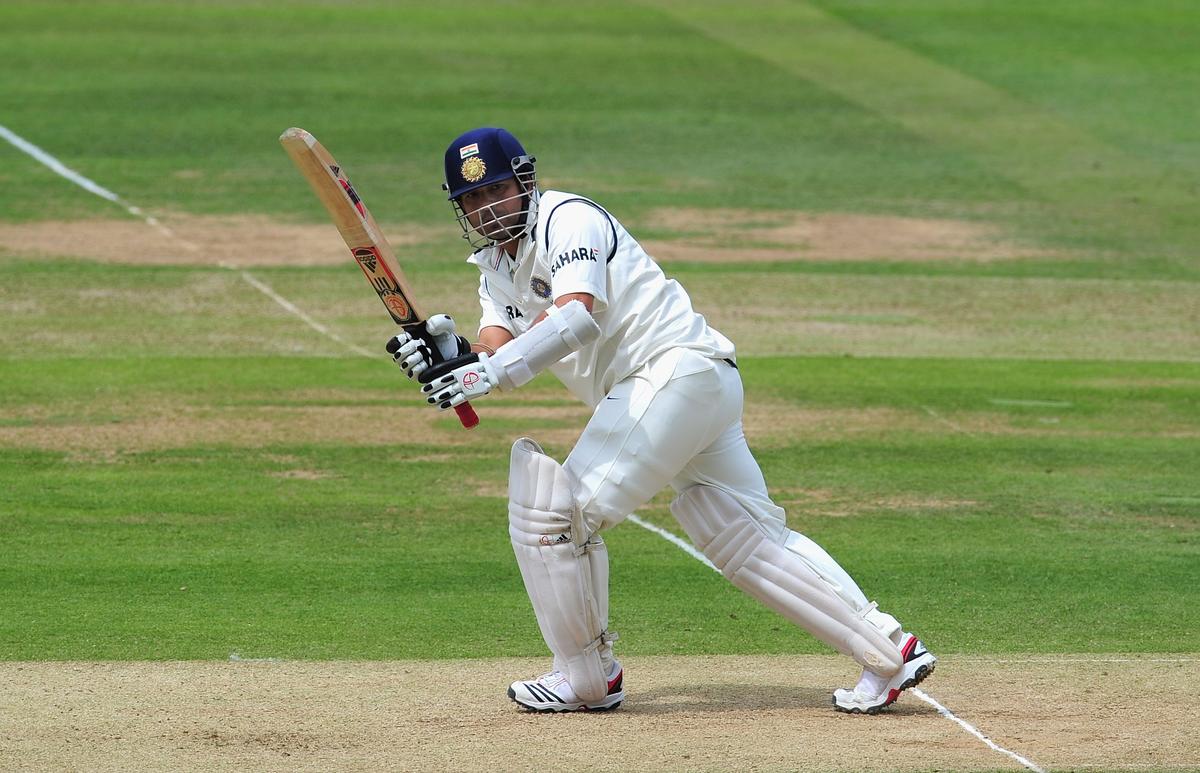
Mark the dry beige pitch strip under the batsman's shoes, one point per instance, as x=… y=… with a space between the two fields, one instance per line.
x=769 y=714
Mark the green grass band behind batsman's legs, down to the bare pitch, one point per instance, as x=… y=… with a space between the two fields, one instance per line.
x=1072 y=531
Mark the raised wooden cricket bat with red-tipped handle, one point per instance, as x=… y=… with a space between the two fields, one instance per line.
x=361 y=233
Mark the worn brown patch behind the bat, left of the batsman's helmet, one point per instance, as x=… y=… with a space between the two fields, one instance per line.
x=237 y=242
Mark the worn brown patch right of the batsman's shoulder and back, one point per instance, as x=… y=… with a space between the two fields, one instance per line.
x=753 y=236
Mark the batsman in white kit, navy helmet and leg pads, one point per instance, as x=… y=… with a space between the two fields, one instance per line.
x=565 y=287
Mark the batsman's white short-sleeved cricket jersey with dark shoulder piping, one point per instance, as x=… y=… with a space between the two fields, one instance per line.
x=579 y=248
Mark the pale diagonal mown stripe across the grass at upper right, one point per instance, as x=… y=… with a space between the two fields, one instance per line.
x=1065 y=165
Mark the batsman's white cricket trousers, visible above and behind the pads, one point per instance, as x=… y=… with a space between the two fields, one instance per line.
x=679 y=422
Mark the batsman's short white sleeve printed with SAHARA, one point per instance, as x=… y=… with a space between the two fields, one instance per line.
x=580 y=241
